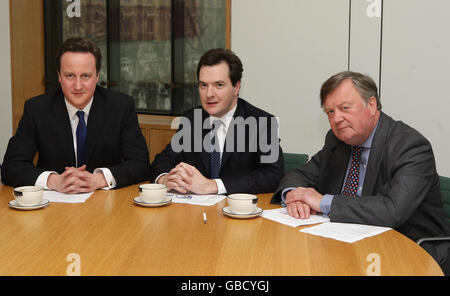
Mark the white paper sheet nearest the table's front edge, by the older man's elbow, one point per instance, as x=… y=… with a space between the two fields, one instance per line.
x=345 y=232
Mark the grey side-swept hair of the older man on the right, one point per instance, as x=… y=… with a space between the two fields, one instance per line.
x=363 y=83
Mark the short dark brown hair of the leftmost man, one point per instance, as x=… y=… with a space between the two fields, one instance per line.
x=78 y=44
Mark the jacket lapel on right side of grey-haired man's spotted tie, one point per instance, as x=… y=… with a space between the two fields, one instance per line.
x=376 y=154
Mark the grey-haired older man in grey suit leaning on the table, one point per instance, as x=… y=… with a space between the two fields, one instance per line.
x=372 y=169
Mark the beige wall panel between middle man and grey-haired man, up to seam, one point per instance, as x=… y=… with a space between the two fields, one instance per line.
x=288 y=49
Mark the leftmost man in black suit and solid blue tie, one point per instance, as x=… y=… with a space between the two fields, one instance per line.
x=86 y=137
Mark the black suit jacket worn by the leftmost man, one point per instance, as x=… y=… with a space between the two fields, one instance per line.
x=114 y=140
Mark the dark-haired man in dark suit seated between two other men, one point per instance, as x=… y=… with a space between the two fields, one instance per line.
x=227 y=145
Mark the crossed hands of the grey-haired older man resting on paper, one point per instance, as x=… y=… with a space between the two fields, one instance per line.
x=301 y=202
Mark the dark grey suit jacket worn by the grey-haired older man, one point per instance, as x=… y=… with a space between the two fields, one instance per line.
x=401 y=187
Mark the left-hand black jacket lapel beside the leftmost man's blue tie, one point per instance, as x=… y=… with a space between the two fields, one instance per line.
x=63 y=134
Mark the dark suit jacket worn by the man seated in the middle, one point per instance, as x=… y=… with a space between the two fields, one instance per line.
x=240 y=171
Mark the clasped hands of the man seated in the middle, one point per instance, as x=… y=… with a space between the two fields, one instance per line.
x=186 y=178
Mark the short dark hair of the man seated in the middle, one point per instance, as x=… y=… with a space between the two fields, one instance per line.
x=215 y=56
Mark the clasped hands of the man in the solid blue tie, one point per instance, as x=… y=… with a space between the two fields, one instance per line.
x=76 y=180
